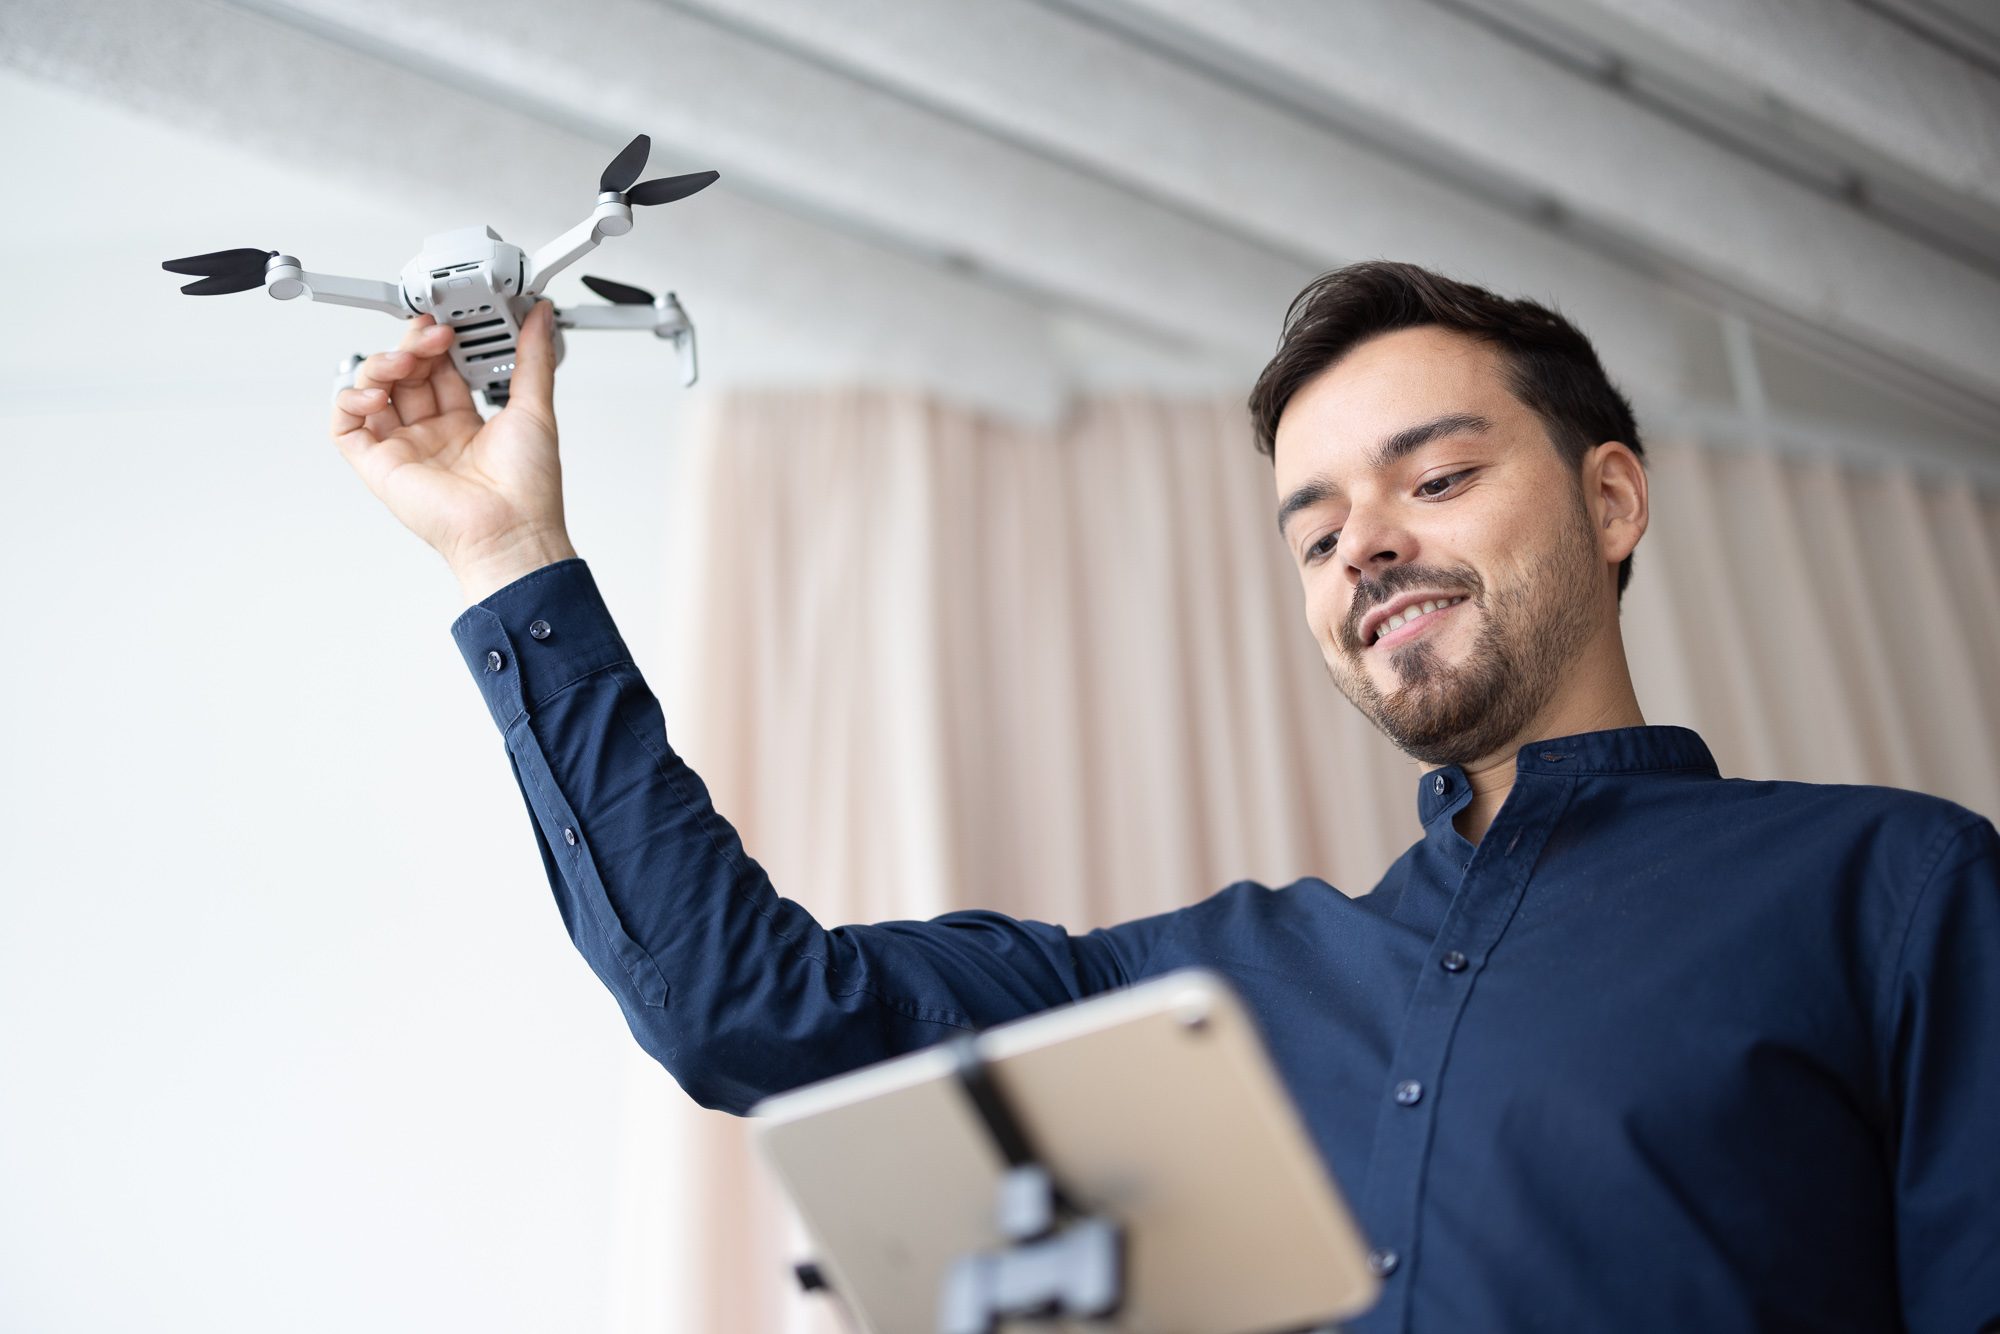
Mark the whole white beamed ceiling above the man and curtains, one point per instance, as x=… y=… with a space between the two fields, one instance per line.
x=1017 y=199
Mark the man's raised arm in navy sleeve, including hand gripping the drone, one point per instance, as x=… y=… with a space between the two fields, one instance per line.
x=735 y=989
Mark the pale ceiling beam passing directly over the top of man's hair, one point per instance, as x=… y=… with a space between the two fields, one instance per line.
x=1127 y=115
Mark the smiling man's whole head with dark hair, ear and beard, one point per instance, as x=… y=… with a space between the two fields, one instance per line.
x=1433 y=441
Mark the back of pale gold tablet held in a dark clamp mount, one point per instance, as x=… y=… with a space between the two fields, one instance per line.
x=1153 y=1105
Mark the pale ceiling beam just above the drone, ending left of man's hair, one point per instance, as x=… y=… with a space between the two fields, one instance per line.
x=845 y=155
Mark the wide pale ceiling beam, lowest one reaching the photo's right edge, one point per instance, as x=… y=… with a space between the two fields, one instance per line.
x=1473 y=101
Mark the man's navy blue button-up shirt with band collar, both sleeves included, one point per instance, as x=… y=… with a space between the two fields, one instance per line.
x=1663 y=1051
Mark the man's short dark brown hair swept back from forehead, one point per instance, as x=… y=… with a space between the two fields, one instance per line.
x=1551 y=367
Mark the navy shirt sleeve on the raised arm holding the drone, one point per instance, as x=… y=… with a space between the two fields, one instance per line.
x=737 y=991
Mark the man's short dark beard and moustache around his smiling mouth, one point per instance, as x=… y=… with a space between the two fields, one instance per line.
x=1457 y=713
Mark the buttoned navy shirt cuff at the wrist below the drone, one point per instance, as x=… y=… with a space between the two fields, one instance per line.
x=535 y=637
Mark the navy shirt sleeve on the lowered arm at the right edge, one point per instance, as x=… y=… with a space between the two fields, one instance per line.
x=1945 y=1015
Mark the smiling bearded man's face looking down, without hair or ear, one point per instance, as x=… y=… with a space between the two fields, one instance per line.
x=1473 y=503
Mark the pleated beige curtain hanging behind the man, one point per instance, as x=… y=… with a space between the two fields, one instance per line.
x=929 y=661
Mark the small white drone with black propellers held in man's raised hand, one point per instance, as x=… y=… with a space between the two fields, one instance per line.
x=483 y=287
